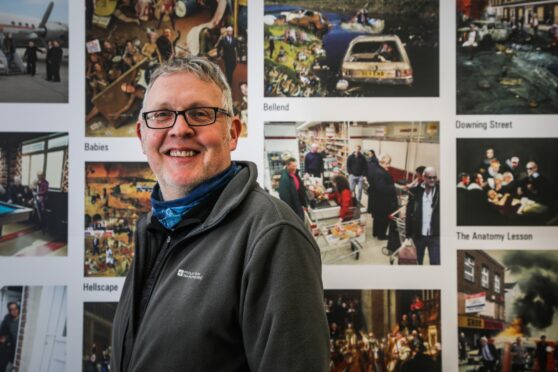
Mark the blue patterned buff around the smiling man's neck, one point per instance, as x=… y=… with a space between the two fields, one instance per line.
x=169 y=213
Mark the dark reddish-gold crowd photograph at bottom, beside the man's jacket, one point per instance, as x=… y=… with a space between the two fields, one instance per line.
x=384 y=330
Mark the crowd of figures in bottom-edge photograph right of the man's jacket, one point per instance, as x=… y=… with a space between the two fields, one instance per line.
x=355 y=347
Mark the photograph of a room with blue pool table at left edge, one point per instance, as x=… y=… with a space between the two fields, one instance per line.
x=33 y=194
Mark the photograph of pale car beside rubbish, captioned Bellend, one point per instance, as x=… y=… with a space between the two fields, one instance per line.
x=333 y=48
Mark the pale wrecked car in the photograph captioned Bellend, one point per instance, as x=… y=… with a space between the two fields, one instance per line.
x=378 y=59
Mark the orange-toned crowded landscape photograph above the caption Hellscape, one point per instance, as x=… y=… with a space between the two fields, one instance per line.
x=116 y=195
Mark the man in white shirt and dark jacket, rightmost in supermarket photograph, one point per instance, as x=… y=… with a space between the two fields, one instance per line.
x=423 y=217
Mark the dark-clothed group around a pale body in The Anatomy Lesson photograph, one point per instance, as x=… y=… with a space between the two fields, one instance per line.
x=504 y=191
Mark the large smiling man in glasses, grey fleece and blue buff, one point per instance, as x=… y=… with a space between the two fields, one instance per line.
x=225 y=277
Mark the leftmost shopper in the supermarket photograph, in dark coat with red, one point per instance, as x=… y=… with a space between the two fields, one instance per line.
x=291 y=188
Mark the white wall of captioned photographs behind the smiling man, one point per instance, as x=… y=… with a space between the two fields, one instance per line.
x=423 y=110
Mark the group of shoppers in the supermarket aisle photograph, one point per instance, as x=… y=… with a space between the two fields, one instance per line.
x=419 y=213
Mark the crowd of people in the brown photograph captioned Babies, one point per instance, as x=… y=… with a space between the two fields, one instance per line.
x=113 y=56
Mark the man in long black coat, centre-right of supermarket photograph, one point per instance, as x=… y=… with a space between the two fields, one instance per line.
x=385 y=198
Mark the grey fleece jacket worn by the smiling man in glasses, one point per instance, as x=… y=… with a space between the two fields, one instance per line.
x=239 y=291
